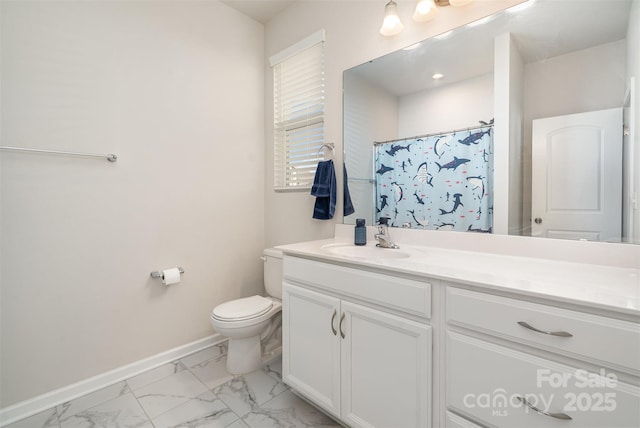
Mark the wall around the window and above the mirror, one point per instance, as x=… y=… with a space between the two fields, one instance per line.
x=352 y=37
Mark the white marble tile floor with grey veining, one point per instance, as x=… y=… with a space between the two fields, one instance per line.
x=193 y=392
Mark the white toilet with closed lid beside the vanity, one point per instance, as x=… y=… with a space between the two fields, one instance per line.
x=247 y=321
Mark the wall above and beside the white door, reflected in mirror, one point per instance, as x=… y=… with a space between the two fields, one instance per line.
x=586 y=80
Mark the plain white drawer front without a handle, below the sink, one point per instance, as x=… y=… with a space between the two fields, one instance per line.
x=406 y=295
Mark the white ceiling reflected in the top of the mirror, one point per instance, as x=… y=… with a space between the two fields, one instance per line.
x=545 y=29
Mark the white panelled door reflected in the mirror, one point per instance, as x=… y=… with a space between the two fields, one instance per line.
x=577 y=176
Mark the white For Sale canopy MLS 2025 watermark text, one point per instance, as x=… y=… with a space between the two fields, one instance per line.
x=590 y=397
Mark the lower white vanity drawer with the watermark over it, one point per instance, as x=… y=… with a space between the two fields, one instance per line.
x=487 y=382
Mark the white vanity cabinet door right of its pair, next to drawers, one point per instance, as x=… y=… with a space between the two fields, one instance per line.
x=386 y=369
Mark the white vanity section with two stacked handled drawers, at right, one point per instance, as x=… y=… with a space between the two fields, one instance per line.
x=511 y=362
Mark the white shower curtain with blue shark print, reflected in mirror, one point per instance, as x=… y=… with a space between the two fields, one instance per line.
x=439 y=182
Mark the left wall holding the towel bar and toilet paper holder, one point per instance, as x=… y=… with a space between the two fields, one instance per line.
x=175 y=89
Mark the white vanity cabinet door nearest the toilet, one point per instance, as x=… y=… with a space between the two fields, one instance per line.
x=311 y=349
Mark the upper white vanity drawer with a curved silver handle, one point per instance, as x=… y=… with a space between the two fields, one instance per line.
x=599 y=339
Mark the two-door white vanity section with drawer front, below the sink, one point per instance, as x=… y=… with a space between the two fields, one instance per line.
x=358 y=343
